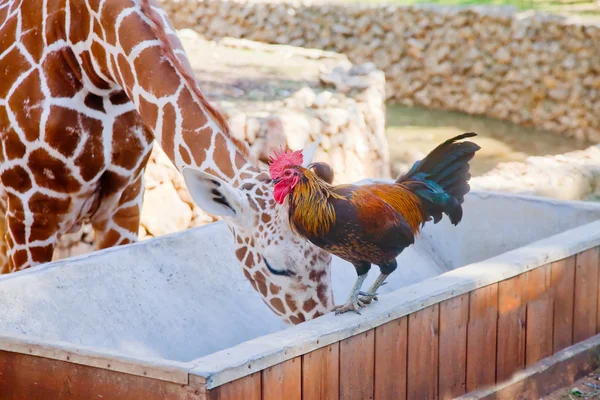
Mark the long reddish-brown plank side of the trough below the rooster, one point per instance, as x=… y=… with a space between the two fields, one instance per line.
x=453 y=347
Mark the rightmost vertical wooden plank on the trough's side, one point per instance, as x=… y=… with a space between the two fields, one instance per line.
x=586 y=295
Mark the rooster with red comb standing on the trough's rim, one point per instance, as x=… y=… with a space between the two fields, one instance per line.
x=372 y=224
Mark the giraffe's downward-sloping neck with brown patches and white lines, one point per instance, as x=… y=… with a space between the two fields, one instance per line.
x=153 y=70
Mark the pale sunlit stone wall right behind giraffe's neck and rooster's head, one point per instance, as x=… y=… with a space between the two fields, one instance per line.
x=271 y=96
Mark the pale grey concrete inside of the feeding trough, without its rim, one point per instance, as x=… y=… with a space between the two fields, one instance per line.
x=182 y=296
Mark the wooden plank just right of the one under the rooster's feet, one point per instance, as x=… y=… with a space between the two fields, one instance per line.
x=391 y=352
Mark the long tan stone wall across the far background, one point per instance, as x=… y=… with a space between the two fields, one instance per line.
x=530 y=69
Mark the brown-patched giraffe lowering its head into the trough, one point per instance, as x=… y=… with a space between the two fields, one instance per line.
x=86 y=88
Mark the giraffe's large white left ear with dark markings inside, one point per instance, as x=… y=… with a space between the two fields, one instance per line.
x=212 y=194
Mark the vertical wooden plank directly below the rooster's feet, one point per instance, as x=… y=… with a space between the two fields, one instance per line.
x=357 y=364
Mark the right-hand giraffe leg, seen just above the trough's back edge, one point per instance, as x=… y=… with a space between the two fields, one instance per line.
x=121 y=226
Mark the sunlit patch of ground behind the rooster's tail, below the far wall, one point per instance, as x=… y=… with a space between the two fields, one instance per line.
x=413 y=132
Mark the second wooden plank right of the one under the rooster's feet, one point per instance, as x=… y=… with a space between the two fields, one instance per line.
x=423 y=335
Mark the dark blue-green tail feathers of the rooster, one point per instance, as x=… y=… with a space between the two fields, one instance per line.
x=441 y=178
